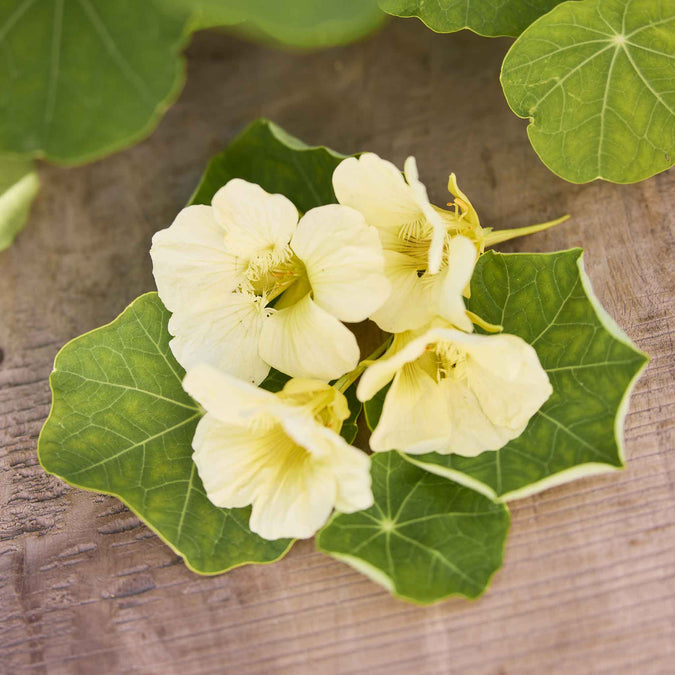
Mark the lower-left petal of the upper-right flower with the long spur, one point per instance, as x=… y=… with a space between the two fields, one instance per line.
x=409 y=304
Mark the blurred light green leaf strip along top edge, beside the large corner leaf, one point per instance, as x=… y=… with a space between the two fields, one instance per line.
x=308 y=24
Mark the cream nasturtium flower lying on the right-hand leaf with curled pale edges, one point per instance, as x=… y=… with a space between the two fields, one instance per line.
x=454 y=392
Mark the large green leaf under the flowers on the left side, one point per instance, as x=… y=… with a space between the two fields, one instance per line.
x=122 y=424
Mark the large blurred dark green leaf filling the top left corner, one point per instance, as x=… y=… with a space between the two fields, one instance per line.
x=83 y=78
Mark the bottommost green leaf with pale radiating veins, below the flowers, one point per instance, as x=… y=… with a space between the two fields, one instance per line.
x=425 y=538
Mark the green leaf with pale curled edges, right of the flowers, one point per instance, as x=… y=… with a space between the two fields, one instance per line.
x=547 y=300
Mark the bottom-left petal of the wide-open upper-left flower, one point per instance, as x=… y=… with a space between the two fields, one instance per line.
x=223 y=331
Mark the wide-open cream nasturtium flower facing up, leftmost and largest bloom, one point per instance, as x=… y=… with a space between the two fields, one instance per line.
x=251 y=285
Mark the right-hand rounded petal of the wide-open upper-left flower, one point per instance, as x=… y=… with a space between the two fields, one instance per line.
x=344 y=261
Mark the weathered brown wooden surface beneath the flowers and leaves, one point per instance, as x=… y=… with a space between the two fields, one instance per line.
x=588 y=581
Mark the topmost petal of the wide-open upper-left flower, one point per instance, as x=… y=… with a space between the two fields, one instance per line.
x=254 y=220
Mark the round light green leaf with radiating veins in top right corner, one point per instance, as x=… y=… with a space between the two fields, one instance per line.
x=596 y=80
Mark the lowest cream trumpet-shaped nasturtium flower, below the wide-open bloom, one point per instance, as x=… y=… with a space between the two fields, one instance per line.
x=280 y=452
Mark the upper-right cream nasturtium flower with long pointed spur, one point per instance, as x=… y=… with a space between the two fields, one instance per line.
x=429 y=252
